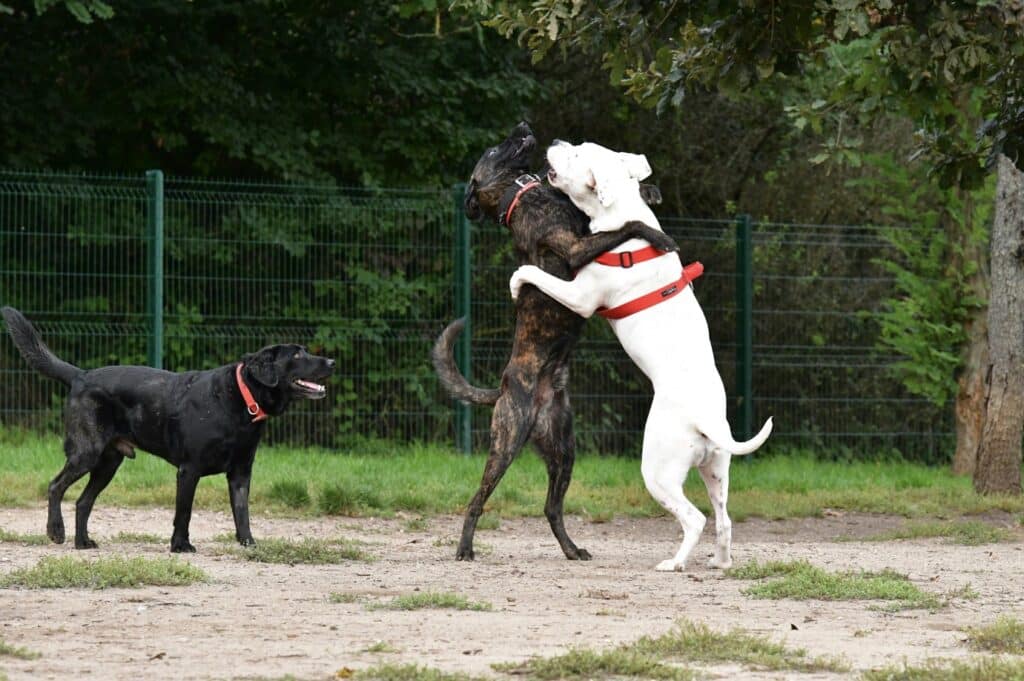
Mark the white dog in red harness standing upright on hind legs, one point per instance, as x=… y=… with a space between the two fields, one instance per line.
x=668 y=340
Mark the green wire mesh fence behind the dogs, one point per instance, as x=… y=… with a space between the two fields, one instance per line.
x=193 y=274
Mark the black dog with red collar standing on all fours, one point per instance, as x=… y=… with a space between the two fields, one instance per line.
x=202 y=422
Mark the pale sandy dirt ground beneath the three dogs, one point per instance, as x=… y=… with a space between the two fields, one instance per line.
x=267 y=621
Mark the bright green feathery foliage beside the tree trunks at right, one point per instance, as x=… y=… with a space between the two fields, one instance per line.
x=925 y=322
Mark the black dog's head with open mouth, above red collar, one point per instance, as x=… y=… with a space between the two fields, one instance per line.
x=291 y=370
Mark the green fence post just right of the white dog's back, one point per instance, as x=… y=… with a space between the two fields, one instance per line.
x=745 y=328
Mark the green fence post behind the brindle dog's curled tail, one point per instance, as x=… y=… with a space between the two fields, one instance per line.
x=463 y=301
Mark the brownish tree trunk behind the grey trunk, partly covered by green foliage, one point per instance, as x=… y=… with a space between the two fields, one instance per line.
x=970 y=410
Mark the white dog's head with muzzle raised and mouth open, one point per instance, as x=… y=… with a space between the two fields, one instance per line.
x=595 y=178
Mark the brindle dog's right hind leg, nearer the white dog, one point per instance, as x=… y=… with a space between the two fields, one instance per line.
x=557 y=444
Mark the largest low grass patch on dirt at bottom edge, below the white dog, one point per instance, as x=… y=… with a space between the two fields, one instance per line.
x=660 y=658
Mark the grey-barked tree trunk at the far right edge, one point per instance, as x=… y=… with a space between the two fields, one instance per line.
x=999 y=469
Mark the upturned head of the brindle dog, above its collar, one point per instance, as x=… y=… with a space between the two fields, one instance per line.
x=496 y=171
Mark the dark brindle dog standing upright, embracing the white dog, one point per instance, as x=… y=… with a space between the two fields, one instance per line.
x=533 y=402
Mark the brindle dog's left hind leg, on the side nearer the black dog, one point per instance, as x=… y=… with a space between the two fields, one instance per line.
x=510 y=427
